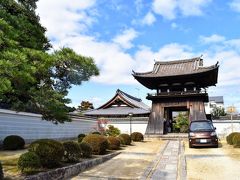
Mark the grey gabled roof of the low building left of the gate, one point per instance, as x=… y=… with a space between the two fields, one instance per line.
x=121 y=104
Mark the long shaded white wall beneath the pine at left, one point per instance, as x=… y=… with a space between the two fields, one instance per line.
x=31 y=126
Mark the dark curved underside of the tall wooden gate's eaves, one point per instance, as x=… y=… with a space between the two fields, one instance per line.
x=204 y=78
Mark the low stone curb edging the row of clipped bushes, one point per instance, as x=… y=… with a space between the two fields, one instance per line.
x=72 y=170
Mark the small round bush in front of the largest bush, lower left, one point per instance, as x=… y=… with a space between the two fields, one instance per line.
x=28 y=161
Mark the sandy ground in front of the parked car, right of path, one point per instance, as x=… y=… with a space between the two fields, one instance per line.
x=221 y=163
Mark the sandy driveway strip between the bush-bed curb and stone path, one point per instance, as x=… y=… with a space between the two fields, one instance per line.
x=130 y=164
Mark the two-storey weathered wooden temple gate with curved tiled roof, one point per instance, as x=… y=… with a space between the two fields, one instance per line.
x=179 y=85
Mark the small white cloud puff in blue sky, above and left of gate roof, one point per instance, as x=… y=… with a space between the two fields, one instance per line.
x=125 y=38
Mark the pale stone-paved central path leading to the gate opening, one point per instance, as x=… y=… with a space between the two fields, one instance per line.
x=167 y=165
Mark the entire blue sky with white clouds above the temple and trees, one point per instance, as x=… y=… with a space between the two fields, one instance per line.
x=128 y=35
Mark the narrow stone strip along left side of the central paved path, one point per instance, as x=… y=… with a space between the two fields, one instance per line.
x=149 y=170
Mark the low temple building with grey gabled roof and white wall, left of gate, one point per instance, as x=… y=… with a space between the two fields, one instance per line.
x=123 y=111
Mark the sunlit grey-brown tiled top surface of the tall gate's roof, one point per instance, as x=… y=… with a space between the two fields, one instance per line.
x=176 y=67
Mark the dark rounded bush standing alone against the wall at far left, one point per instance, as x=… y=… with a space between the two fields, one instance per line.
x=13 y=142
